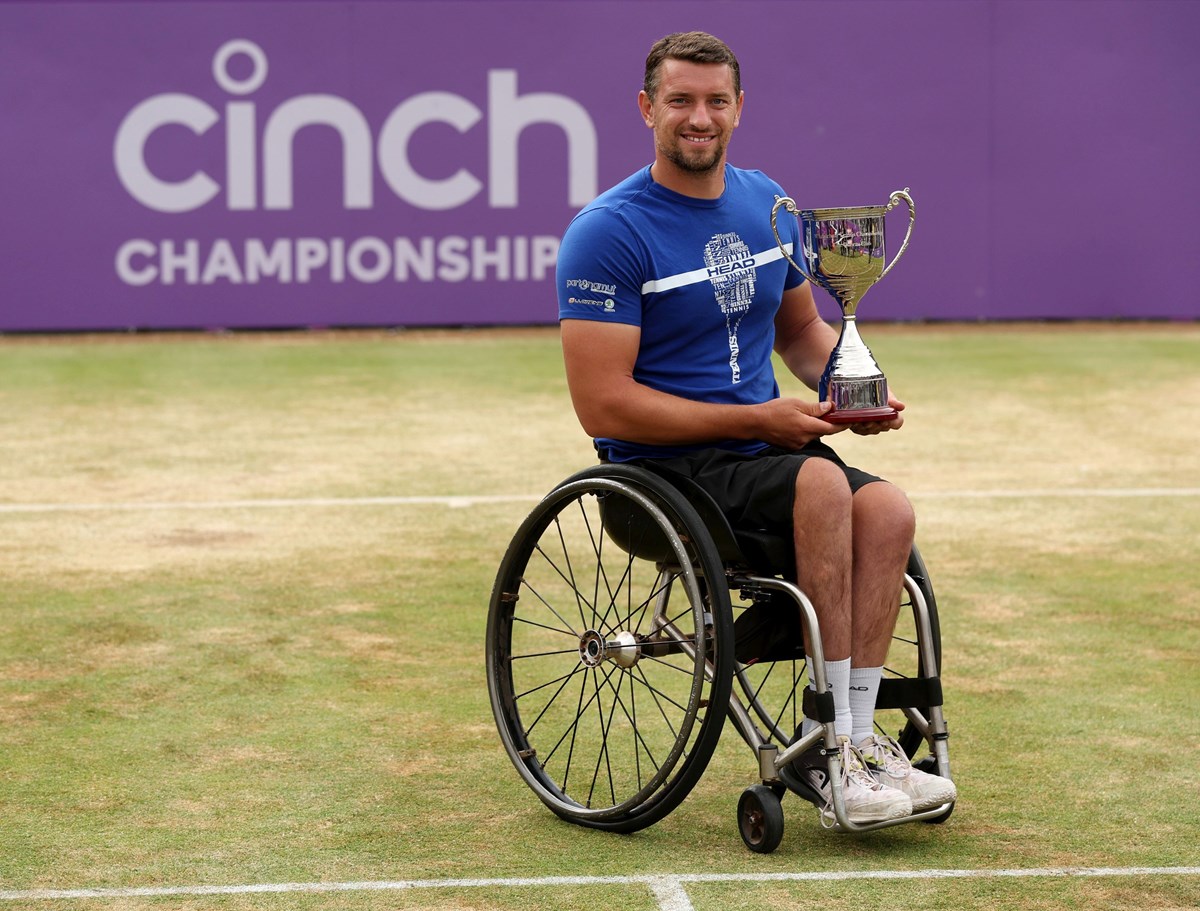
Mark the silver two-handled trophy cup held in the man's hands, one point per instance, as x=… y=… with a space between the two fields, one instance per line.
x=844 y=253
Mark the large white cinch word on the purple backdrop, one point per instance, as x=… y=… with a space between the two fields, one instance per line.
x=508 y=115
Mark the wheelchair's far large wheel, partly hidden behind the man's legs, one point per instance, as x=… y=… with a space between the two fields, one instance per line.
x=772 y=674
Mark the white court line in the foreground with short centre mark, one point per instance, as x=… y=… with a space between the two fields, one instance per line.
x=669 y=890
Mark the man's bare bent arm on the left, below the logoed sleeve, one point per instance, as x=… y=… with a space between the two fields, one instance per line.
x=610 y=403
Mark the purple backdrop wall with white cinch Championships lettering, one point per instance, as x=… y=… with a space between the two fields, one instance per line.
x=232 y=165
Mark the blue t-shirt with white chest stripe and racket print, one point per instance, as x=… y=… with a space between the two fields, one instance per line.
x=704 y=280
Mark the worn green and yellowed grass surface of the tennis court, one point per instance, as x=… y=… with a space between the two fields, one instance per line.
x=297 y=694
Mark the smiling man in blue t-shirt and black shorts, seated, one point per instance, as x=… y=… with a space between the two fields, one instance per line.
x=673 y=296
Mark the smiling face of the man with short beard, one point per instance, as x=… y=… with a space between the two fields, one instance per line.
x=693 y=115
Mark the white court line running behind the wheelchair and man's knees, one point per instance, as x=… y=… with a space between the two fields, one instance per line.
x=470 y=500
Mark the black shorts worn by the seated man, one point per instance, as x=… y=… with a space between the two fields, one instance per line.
x=755 y=493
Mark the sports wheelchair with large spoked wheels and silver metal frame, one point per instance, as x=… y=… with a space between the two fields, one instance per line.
x=628 y=621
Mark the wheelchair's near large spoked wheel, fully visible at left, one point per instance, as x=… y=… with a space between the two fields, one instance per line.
x=610 y=668
